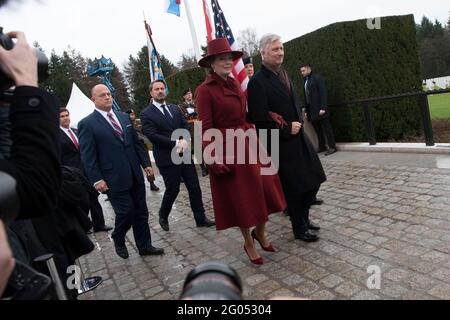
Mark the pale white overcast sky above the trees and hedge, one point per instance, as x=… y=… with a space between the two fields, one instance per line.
x=116 y=30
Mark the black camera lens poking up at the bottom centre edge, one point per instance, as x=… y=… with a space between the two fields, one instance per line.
x=212 y=281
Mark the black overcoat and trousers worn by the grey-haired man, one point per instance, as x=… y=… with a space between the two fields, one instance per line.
x=300 y=171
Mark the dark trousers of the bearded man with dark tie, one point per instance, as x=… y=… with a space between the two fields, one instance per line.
x=172 y=180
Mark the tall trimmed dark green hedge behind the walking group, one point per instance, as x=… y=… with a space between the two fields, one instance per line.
x=356 y=63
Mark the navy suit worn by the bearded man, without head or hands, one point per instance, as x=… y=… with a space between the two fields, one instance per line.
x=159 y=128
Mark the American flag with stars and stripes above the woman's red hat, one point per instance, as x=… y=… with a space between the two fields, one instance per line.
x=223 y=30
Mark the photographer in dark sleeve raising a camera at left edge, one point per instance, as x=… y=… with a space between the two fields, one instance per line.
x=34 y=127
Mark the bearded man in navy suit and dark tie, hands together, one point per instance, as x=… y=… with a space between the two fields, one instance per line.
x=159 y=120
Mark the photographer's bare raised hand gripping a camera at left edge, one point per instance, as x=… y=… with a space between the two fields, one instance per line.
x=20 y=63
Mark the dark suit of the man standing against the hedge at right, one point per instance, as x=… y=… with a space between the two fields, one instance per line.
x=315 y=93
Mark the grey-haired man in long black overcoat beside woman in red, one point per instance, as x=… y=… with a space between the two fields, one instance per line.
x=272 y=104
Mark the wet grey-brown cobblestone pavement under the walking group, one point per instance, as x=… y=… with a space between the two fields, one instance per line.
x=390 y=216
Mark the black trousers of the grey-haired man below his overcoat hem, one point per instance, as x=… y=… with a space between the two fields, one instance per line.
x=298 y=209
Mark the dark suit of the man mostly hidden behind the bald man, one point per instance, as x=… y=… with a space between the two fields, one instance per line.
x=70 y=157
